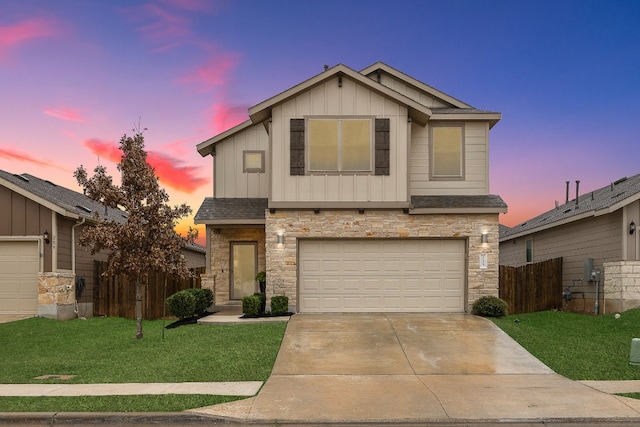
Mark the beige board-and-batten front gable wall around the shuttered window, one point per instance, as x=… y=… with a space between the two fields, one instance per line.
x=328 y=99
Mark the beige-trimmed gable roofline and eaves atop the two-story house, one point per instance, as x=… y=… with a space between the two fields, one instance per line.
x=418 y=112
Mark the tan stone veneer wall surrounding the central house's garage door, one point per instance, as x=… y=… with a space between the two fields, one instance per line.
x=282 y=269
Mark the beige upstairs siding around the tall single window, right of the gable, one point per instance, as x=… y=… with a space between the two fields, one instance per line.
x=476 y=163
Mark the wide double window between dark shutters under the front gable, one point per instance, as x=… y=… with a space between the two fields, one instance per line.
x=339 y=145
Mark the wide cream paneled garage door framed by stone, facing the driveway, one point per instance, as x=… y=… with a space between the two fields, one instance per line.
x=381 y=275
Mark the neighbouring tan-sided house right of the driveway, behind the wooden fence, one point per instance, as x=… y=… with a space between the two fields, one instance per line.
x=595 y=234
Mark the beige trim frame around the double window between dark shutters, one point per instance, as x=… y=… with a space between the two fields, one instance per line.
x=372 y=148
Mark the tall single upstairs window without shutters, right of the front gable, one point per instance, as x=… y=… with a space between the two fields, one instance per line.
x=447 y=152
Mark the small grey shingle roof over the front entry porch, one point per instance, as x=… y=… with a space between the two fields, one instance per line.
x=213 y=209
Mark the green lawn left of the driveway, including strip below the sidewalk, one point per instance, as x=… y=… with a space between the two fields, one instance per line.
x=104 y=350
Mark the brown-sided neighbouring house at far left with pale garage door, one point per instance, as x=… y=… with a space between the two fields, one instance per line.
x=43 y=269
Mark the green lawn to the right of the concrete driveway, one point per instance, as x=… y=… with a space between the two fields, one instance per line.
x=578 y=346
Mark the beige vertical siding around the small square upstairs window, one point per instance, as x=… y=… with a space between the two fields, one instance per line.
x=230 y=180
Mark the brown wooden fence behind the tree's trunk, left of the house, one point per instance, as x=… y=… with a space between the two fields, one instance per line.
x=114 y=296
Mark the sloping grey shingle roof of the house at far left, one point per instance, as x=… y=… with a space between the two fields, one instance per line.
x=67 y=200
